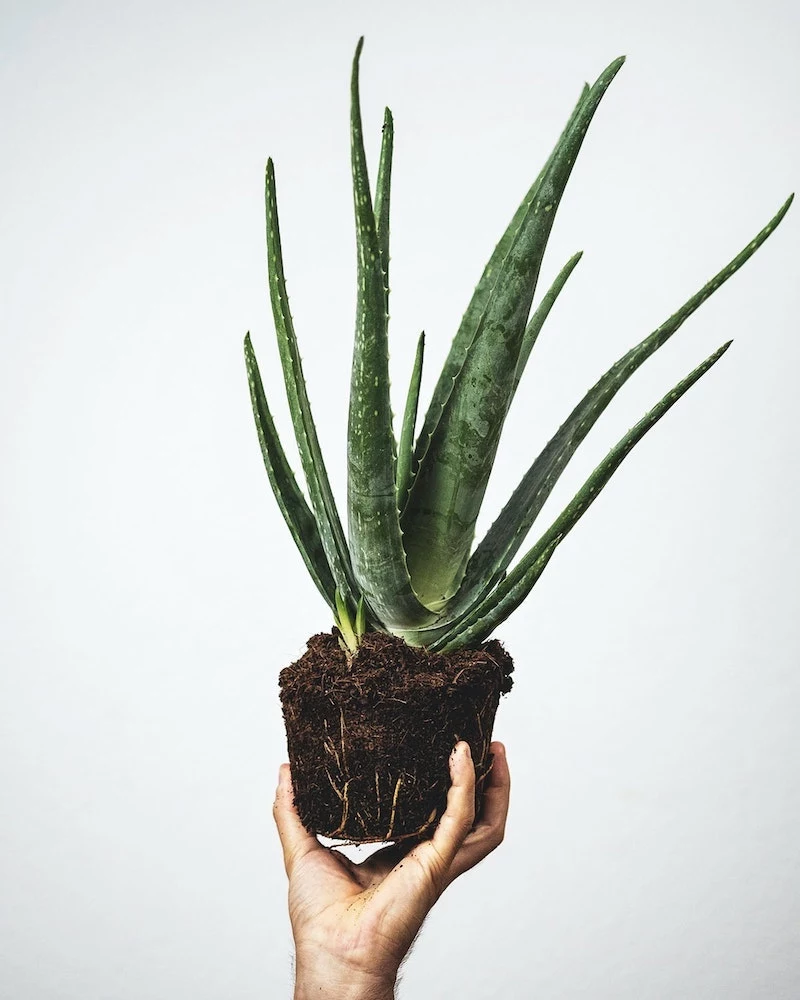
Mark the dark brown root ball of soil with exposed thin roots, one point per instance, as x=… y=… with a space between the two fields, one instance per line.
x=369 y=736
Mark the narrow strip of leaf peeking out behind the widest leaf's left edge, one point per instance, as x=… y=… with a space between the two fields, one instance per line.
x=480 y=298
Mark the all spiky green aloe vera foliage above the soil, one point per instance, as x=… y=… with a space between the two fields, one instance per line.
x=408 y=564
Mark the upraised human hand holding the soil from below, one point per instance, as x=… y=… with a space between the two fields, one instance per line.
x=354 y=923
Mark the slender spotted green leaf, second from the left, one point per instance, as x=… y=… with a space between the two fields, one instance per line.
x=322 y=501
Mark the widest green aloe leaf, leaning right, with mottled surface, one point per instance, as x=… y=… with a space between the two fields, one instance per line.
x=449 y=485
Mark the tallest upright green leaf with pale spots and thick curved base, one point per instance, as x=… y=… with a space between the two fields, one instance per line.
x=376 y=545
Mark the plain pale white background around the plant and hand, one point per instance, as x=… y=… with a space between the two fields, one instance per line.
x=150 y=591
